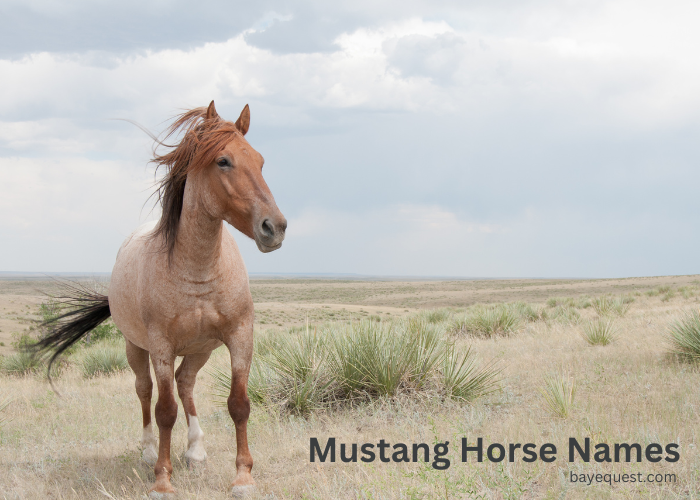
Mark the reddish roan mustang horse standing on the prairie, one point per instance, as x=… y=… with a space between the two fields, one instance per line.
x=179 y=287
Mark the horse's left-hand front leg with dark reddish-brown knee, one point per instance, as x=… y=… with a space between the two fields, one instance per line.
x=166 y=414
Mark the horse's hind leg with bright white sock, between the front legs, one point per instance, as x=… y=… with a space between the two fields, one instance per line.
x=185 y=377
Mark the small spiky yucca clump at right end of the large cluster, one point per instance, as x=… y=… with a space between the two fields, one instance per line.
x=463 y=379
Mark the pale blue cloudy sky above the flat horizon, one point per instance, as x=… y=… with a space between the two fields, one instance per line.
x=500 y=138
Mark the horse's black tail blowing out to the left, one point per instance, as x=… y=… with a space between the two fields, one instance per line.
x=87 y=310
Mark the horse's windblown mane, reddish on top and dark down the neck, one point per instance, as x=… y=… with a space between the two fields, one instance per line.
x=203 y=138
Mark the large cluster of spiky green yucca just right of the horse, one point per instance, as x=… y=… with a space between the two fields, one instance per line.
x=358 y=361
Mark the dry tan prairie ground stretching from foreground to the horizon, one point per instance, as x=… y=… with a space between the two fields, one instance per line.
x=570 y=358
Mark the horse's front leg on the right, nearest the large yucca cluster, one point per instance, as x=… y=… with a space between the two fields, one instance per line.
x=239 y=408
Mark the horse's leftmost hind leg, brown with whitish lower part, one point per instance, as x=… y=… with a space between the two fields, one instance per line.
x=138 y=360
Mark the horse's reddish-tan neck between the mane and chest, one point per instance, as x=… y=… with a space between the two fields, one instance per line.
x=198 y=248
